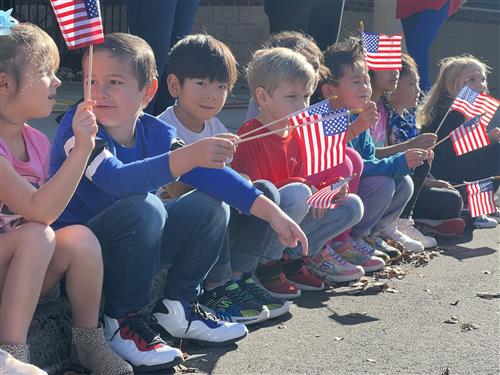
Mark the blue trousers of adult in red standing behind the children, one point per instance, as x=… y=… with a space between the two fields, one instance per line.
x=420 y=30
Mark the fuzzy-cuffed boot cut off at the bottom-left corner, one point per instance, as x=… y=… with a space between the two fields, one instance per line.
x=14 y=361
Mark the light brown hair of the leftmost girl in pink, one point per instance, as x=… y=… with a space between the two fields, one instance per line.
x=27 y=44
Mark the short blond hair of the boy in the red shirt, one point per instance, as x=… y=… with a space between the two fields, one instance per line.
x=271 y=66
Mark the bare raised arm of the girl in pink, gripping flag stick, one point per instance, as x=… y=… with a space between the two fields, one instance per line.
x=46 y=204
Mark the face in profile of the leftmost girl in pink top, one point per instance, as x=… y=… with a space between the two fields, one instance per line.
x=35 y=97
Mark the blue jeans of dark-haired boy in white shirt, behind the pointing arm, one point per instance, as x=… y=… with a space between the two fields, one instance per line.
x=246 y=234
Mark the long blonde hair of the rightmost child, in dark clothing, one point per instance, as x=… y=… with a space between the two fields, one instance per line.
x=446 y=85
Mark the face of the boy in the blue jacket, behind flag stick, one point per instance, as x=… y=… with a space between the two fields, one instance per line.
x=115 y=88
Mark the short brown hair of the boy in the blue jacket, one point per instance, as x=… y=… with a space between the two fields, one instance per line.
x=133 y=49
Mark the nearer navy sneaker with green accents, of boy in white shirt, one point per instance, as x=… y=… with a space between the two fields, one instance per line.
x=230 y=303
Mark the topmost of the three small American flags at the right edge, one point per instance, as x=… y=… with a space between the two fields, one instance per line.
x=470 y=103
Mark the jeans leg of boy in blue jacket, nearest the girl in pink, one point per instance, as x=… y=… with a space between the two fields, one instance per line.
x=130 y=232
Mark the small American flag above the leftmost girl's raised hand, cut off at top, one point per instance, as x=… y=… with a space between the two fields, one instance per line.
x=80 y=22
